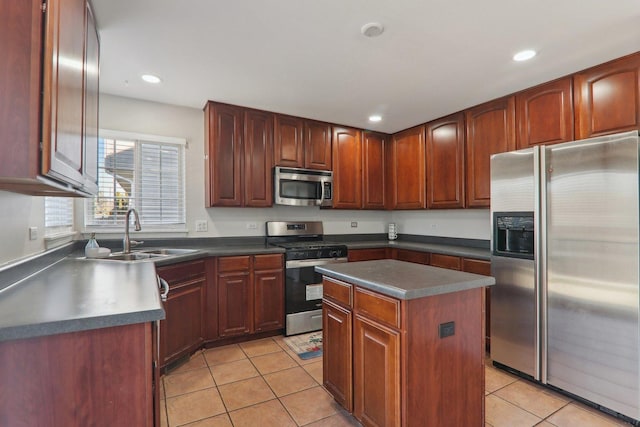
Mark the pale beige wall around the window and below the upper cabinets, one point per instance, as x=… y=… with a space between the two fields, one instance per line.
x=125 y=114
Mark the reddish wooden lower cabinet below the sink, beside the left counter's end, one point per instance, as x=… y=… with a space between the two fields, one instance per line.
x=183 y=329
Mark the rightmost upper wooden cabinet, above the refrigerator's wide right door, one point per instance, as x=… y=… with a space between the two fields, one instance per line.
x=607 y=98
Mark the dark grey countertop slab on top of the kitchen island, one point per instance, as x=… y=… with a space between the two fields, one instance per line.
x=404 y=280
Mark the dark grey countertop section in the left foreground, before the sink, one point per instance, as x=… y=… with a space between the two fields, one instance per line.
x=74 y=295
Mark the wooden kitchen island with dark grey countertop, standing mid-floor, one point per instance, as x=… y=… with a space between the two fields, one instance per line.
x=403 y=343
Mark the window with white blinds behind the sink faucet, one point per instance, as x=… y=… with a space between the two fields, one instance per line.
x=144 y=172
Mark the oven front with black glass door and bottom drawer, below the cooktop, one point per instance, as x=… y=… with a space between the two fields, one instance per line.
x=303 y=294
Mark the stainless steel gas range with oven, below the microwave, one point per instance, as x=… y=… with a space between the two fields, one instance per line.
x=305 y=248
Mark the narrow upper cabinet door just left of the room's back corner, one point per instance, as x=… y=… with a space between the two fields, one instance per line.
x=373 y=165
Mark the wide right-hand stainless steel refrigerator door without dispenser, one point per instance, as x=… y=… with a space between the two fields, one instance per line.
x=592 y=339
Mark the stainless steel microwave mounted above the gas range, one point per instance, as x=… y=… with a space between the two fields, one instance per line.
x=303 y=187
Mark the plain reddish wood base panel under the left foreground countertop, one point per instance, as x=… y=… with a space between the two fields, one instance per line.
x=97 y=377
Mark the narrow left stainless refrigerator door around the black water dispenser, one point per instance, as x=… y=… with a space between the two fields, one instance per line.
x=514 y=304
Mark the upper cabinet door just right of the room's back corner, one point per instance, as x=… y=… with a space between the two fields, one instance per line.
x=407 y=170
